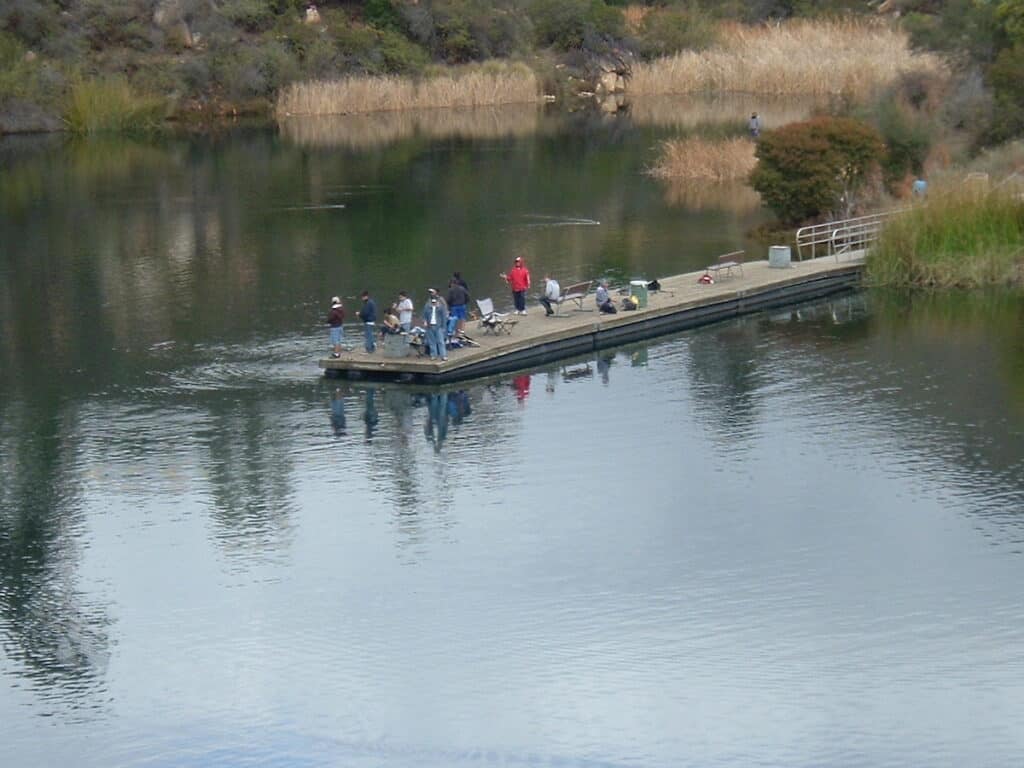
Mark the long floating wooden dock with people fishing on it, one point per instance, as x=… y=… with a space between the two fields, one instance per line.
x=536 y=339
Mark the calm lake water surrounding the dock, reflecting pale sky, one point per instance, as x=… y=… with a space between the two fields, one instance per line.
x=793 y=540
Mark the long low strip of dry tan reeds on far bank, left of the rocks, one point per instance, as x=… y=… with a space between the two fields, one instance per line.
x=473 y=88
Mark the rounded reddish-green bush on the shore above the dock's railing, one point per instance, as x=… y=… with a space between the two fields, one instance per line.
x=817 y=167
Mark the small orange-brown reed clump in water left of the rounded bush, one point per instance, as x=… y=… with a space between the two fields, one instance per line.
x=700 y=159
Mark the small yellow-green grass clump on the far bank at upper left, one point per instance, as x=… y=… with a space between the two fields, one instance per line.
x=101 y=106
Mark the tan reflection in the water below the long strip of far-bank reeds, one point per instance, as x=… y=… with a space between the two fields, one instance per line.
x=376 y=130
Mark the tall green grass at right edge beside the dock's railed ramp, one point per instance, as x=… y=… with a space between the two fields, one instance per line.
x=964 y=237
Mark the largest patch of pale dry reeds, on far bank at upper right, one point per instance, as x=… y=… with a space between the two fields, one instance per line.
x=836 y=58
